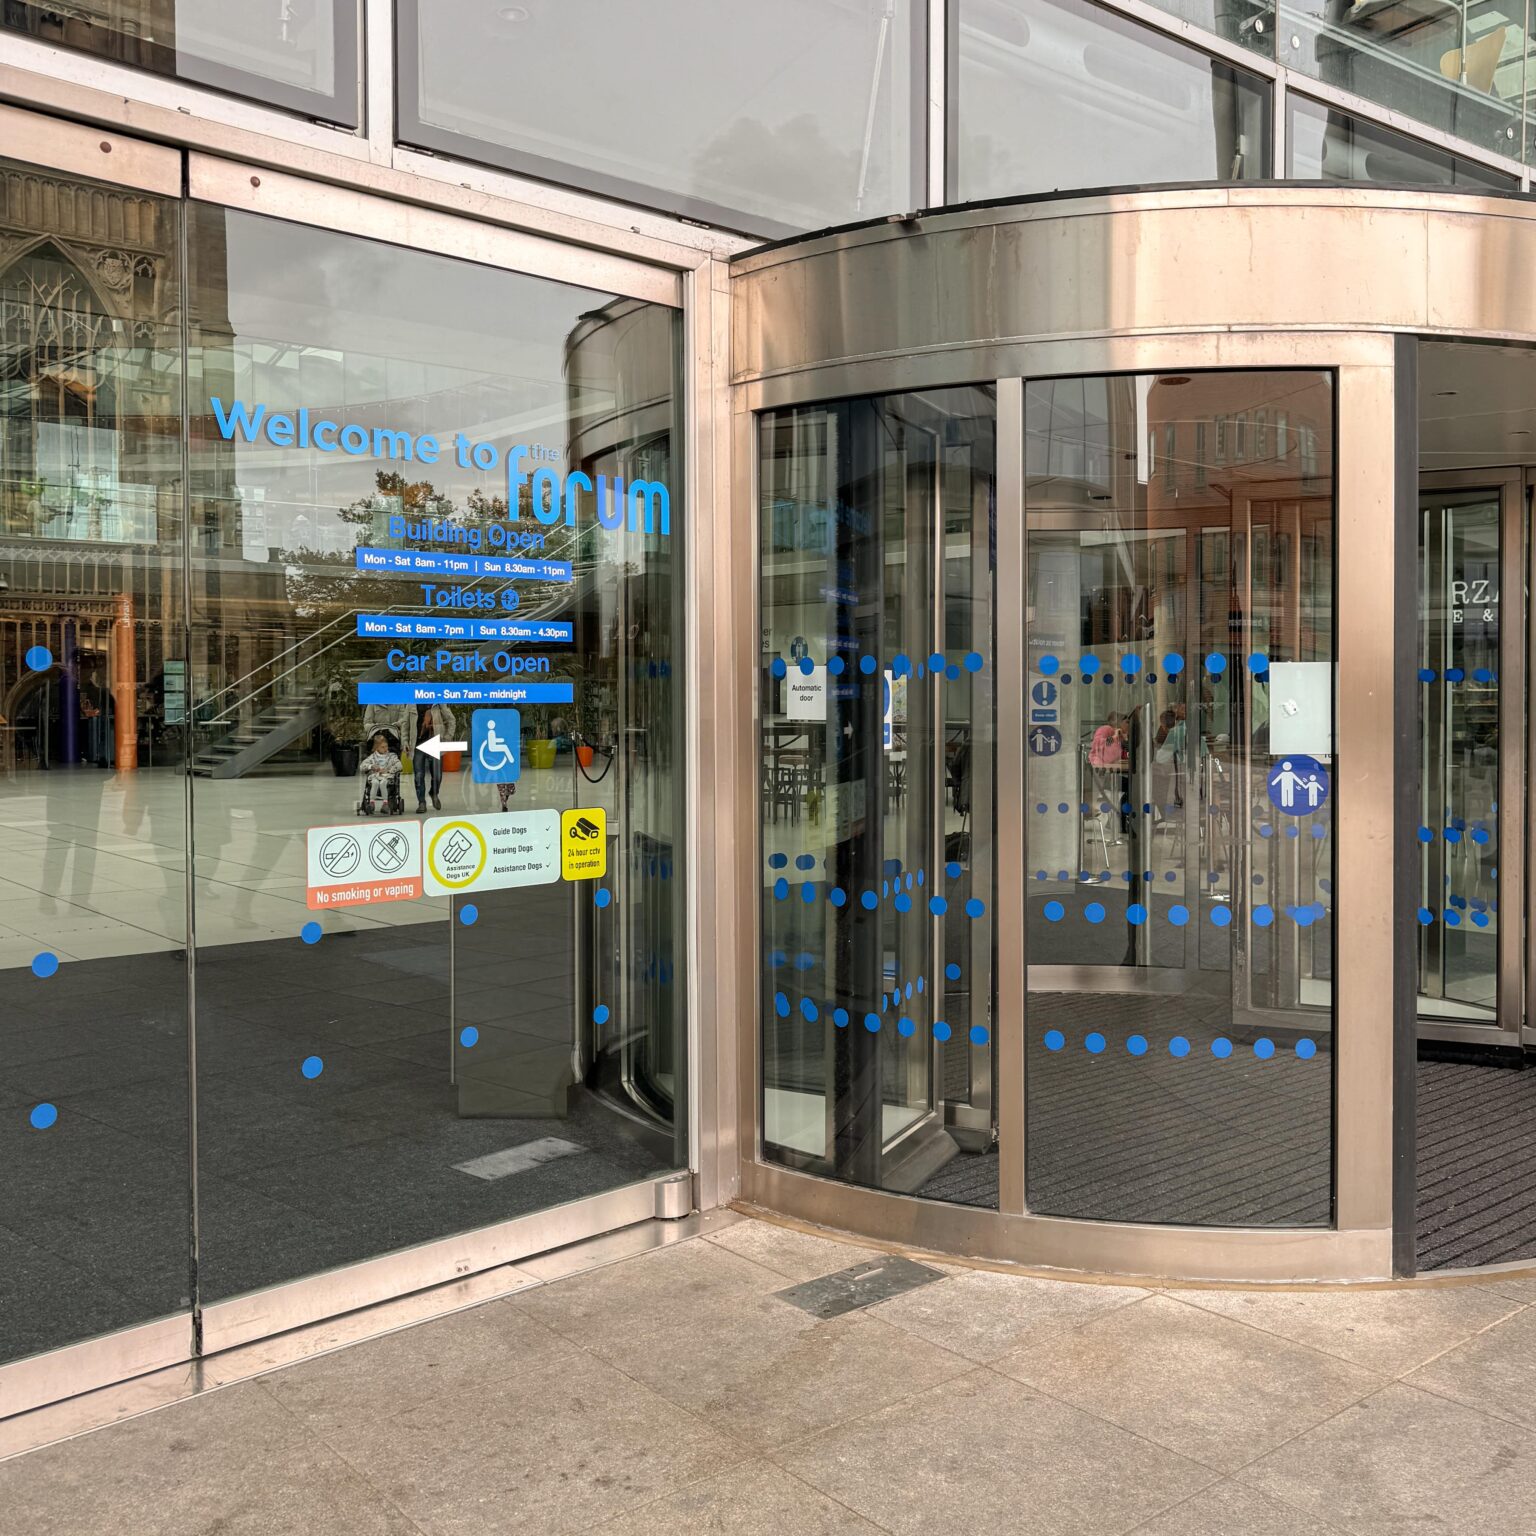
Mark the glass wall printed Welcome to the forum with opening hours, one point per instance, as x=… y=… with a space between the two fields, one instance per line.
x=425 y=993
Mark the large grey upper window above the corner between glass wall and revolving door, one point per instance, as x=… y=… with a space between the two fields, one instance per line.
x=766 y=118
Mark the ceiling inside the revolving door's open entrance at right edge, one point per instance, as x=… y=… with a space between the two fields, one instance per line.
x=1477 y=406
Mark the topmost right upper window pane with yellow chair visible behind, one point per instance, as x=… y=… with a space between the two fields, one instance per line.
x=1455 y=65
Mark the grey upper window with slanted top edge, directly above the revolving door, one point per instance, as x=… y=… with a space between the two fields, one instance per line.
x=1061 y=94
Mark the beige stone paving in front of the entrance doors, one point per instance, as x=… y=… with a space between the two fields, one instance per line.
x=681 y=1392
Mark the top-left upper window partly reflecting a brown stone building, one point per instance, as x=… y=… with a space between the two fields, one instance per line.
x=294 y=55
